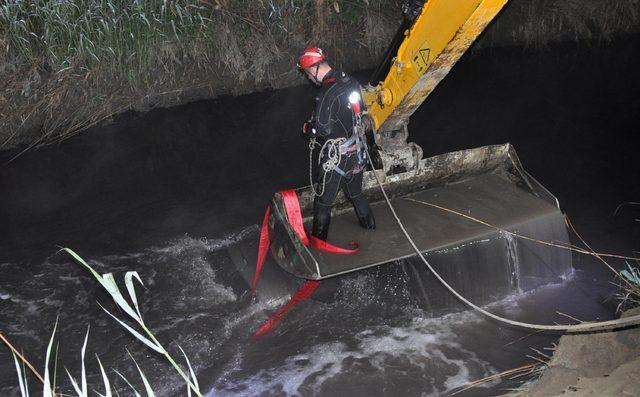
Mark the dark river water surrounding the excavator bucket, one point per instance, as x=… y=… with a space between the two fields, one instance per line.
x=173 y=193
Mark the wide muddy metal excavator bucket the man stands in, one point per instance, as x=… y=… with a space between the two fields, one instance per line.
x=486 y=184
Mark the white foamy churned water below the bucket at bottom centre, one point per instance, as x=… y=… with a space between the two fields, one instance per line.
x=423 y=353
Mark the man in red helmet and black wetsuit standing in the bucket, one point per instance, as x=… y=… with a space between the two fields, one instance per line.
x=338 y=126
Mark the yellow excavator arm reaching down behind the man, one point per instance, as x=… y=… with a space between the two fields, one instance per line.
x=441 y=33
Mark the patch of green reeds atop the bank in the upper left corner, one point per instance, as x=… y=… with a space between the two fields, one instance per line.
x=126 y=35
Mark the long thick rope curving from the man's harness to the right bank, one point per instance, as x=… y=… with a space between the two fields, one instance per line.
x=583 y=327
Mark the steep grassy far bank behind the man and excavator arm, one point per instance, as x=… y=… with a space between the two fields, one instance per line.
x=65 y=66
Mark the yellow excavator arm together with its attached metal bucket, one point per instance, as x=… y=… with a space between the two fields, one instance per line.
x=481 y=220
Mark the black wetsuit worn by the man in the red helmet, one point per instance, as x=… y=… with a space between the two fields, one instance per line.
x=336 y=117
